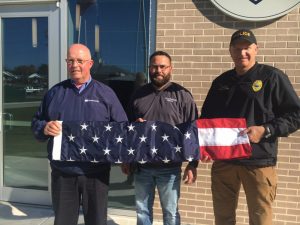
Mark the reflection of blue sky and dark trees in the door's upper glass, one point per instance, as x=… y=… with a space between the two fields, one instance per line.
x=25 y=68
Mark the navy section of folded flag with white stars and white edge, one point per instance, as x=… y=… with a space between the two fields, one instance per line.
x=127 y=142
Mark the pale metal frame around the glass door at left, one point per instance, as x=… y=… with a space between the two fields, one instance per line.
x=52 y=11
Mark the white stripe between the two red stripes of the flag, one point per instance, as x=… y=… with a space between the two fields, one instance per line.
x=221 y=136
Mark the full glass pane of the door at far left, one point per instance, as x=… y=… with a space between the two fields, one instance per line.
x=25 y=81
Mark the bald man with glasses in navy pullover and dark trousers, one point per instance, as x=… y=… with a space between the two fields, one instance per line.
x=79 y=98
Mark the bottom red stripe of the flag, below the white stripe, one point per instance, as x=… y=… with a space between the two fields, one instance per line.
x=226 y=152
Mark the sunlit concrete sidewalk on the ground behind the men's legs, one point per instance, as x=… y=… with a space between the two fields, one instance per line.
x=22 y=214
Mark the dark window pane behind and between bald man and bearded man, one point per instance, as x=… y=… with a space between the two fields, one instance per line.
x=117 y=33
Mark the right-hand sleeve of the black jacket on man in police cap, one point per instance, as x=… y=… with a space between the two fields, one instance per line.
x=286 y=107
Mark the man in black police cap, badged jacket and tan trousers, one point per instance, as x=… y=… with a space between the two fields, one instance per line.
x=264 y=96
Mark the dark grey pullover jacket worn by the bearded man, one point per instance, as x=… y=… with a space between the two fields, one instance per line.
x=174 y=105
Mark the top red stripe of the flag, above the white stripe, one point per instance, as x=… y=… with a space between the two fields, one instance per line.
x=222 y=123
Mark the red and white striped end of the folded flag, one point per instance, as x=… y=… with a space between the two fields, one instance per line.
x=221 y=138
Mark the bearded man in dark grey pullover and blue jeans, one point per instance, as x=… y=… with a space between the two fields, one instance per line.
x=165 y=101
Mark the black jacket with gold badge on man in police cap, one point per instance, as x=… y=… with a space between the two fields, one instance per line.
x=264 y=95
